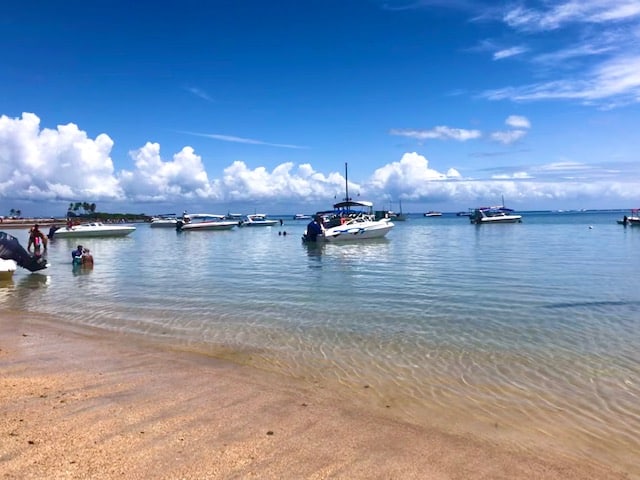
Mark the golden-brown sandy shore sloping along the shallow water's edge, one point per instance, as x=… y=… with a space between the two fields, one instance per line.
x=87 y=404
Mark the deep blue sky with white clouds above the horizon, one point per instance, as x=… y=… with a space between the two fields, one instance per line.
x=256 y=105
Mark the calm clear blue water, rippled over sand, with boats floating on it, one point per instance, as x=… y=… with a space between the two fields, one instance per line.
x=527 y=333
